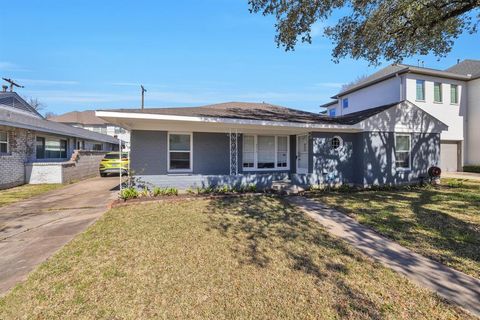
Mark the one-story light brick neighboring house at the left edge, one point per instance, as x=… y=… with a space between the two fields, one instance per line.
x=35 y=150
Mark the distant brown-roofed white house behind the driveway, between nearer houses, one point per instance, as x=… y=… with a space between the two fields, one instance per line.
x=88 y=121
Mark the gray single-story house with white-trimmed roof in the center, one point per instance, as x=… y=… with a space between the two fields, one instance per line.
x=242 y=143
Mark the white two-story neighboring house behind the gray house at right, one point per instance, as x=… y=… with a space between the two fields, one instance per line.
x=451 y=95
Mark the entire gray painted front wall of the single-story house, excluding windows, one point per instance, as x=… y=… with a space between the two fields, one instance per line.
x=364 y=159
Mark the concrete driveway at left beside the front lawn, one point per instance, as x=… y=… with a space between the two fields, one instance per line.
x=32 y=230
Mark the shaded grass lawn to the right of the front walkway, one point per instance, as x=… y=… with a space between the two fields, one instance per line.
x=442 y=223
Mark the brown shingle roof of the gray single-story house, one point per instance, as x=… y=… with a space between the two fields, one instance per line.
x=260 y=111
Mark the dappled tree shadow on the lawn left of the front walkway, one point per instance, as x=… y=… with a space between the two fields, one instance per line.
x=259 y=225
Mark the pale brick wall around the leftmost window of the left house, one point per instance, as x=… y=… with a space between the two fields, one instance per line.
x=21 y=149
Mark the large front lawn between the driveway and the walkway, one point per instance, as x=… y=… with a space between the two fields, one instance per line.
x=238 y=258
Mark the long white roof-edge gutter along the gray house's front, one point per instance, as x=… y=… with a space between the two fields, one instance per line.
x=150 y=116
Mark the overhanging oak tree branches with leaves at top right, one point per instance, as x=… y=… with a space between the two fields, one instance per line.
x=373 y=29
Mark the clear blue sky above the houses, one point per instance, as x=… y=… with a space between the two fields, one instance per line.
x=78 y=55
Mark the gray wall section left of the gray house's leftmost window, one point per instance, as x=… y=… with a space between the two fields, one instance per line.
x=148 y=152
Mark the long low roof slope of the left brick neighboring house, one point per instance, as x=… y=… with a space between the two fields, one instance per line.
x=17 y=118
